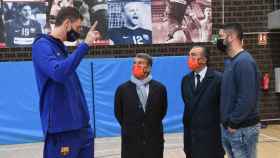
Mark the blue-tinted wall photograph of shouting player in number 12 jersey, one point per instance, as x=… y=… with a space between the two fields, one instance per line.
x=130 y=22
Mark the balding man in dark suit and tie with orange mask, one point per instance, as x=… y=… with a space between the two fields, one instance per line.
x=201 y=95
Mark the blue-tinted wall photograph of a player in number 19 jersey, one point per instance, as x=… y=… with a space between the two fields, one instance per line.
x=23 y=21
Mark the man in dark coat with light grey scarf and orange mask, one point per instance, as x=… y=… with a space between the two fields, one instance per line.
x=140 y=106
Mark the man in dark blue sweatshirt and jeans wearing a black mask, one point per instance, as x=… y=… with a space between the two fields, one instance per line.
x=239 y=96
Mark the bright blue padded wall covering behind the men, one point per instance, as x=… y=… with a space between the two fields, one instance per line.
x=19 y=109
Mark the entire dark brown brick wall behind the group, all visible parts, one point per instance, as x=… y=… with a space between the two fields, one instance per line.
x=252 y=14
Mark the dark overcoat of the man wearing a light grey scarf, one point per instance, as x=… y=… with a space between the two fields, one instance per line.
x=142 y=132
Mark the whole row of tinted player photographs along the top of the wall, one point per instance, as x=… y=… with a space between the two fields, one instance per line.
x=120 y=22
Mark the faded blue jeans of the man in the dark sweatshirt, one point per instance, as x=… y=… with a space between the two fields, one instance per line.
x=242 y=143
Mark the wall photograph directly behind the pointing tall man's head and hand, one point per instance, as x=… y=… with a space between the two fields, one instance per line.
x=91 y=10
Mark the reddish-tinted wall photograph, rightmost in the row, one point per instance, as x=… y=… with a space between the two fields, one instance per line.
x=181 y=21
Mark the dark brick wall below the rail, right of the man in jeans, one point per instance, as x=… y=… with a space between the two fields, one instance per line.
x=267 y=61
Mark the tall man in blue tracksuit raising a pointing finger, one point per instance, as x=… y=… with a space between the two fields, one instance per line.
x=63 y=108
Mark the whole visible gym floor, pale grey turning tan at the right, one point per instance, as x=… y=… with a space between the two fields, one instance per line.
x=268 y=147
